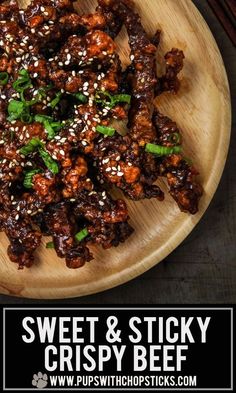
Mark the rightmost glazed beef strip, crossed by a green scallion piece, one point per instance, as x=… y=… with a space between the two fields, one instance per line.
x=181 y=176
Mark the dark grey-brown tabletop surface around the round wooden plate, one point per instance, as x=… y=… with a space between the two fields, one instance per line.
x=203 y=268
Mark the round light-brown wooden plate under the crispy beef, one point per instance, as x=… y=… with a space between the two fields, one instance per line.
x=202 y=110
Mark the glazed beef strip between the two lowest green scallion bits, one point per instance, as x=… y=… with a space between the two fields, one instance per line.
x=63 y=230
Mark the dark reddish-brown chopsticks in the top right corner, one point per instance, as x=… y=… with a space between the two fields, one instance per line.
x=225 y=11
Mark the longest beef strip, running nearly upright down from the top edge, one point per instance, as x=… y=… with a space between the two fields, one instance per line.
x=144 y=78
